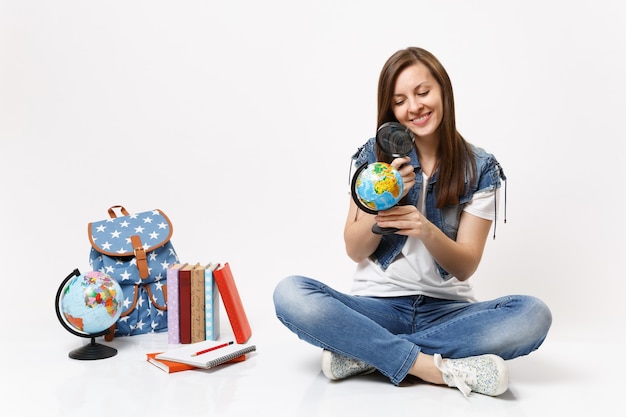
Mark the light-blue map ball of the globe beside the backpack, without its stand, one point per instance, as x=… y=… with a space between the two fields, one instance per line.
x=91 y=302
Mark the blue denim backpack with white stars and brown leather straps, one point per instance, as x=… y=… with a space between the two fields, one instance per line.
x=135 y=250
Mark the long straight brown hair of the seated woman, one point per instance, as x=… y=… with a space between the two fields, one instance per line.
x=456 y=159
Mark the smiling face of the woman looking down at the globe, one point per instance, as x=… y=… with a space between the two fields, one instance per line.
x=417 y=101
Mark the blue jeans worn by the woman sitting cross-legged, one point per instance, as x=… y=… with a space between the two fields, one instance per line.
x=389 y=332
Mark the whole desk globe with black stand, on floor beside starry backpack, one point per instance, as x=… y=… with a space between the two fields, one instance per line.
x=87 y=305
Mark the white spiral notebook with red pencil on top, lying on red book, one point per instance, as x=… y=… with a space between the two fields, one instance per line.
x=206 y=354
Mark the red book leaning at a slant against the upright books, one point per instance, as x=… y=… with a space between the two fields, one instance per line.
x=232 y=303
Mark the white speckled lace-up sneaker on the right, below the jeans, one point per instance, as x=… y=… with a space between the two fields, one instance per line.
x=484 y=374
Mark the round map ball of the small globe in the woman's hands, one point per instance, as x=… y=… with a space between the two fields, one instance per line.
x=377 y=187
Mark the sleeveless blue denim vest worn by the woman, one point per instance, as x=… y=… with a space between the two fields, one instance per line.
x=489 y=176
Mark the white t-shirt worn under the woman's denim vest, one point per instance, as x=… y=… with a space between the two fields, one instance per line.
x=414 y=271
